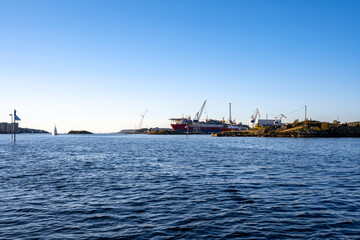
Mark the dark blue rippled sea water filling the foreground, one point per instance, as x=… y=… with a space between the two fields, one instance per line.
x=173 y=187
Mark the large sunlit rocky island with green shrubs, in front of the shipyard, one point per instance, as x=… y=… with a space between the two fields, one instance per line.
x=308 y=129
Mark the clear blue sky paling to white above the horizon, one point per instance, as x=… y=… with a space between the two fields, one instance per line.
x=98 y=65
